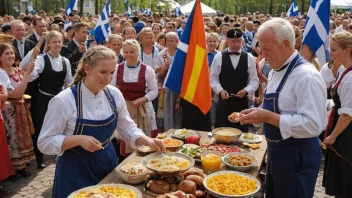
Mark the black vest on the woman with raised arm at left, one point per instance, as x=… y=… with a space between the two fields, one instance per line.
x=51 y=81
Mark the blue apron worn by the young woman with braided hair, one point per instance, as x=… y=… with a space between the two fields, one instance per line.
x=78 y=168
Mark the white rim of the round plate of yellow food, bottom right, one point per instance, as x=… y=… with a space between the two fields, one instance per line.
x=219 y=195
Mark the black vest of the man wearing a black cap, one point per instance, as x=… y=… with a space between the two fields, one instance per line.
x=233 y=80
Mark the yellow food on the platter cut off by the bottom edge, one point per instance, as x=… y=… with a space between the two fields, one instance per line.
x=107 y=192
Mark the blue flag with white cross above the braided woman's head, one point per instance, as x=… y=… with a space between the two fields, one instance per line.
x=102 y=30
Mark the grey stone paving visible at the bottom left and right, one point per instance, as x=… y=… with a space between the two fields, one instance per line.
x=39 y=184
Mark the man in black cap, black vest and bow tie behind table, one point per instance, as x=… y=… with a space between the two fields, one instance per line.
x=233 y=76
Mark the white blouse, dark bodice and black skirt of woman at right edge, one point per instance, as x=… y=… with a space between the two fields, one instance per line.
x=338 y=158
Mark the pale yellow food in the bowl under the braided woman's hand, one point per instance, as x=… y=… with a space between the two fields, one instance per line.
x=170 y=163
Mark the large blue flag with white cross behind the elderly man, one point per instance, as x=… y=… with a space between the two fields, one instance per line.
x=316 y=30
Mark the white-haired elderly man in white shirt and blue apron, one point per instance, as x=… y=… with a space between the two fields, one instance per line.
x=293 y=113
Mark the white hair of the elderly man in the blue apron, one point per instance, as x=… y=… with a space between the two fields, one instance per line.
x=282 y=29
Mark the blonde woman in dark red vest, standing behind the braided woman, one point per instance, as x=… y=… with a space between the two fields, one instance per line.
x=137 y=82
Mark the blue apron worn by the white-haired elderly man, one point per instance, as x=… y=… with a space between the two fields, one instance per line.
x=293 y=164
